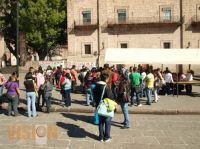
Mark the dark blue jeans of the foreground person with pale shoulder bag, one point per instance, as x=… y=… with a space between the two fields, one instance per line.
x=104 y=133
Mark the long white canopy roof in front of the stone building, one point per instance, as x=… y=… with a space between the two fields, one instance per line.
x=152 y=56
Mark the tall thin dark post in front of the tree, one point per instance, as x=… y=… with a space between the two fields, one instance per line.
x=17 y=39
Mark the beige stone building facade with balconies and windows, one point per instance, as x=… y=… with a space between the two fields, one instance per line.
x=94 y=25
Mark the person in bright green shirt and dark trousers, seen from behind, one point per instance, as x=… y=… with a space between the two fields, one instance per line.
x=135 y=81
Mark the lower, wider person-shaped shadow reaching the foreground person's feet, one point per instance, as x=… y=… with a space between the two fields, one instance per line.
x=76 y=131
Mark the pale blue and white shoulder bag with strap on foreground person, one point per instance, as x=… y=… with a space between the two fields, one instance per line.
x=102 y=108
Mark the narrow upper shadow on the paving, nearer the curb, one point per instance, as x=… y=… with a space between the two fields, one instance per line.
x=76 y=117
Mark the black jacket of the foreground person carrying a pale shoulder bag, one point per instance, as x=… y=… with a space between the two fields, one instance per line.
x=98 y=92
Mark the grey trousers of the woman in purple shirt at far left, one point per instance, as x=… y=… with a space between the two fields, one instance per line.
x=13 y=101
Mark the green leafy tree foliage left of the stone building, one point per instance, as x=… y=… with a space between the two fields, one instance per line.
x=43 y=22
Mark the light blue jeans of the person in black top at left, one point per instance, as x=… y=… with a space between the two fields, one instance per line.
x=30 y=96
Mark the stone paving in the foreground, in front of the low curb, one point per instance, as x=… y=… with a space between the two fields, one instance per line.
x=76 y=131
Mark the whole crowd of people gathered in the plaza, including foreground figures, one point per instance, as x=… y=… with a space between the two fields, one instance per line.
x=124 y=86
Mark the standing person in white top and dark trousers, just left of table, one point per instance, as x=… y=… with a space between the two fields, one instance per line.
x=168 y=81
